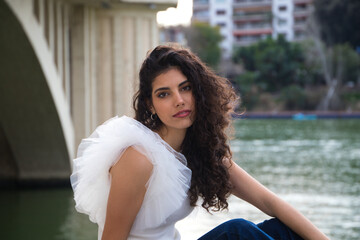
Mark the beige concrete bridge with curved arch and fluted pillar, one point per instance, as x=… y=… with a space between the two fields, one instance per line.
x=65 y=67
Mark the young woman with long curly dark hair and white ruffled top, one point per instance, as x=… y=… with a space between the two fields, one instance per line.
x=137 y=177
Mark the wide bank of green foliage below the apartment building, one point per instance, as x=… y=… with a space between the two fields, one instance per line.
x=286 y=69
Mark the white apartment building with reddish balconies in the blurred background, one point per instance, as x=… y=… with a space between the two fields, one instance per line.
x=243 y=22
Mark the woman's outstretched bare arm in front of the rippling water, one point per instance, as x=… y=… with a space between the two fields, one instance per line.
x=250 y=190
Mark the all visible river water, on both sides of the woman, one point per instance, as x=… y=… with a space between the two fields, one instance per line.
x=314 y=165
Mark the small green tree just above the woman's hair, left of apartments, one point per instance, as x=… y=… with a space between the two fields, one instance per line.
x=204 y=40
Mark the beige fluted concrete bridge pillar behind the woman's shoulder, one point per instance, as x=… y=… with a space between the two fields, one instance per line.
x=108 y=47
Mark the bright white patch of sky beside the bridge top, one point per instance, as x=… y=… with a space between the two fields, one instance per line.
x=181 y=15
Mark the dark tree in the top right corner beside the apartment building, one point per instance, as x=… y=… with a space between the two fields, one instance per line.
x=339 y=21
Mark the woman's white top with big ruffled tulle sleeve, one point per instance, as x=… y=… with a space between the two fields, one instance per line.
x=166 y=200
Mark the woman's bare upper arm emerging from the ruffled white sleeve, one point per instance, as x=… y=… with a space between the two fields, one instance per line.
x=128 y=179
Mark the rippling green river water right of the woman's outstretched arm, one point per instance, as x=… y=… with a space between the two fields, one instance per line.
x=315 y=165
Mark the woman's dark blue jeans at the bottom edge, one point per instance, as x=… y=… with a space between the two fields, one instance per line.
x=240 y=229
